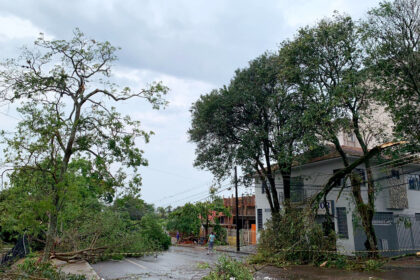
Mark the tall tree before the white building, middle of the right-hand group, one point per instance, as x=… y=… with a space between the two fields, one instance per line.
x=331 y=60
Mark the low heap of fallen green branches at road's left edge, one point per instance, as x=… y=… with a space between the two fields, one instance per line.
x=117 y=233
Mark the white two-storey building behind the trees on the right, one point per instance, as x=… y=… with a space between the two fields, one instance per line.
x=397 y=213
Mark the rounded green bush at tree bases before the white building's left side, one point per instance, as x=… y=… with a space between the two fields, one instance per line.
x=294 y=237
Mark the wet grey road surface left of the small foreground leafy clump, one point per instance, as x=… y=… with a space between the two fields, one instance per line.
x=176 y=263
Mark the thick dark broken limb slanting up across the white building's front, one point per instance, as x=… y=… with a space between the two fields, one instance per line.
x=335 y=179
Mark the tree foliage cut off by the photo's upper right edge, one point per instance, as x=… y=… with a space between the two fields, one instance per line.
x=391 y=38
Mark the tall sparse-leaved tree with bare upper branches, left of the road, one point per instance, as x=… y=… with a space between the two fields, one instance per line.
x=64 y=97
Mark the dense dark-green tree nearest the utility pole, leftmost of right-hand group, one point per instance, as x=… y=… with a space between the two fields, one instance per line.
x=256 y=122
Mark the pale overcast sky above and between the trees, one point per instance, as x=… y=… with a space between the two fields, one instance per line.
x=192 y=46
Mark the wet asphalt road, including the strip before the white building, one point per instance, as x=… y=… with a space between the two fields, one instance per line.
x=184 y=263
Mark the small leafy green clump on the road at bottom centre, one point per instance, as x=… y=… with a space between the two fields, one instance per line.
x=228 y=268
